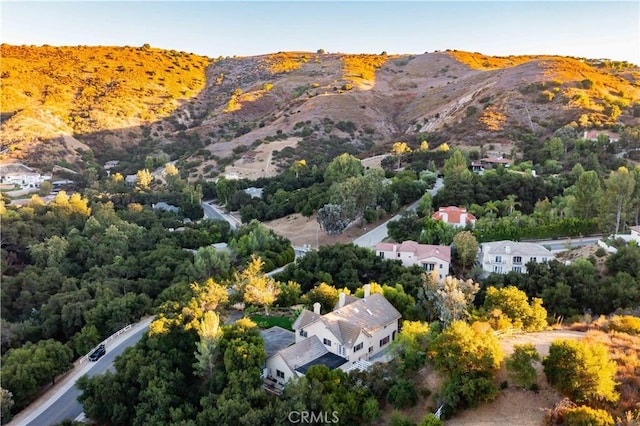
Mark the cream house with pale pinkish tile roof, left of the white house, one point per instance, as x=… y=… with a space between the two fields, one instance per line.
x=426 y=256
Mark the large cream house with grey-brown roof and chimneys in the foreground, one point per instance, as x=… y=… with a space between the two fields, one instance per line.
x=356 y=331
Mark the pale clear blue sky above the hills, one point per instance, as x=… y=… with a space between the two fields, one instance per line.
x=591 y=29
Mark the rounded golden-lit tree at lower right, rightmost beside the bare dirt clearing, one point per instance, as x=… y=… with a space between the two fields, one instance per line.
x=582 y=371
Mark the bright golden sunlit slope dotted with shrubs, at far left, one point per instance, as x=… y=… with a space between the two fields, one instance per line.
x=54 y=97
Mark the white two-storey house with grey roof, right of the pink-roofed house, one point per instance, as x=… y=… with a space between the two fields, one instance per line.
x=506 y=256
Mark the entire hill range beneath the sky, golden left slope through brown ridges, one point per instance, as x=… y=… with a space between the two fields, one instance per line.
x=131 y=102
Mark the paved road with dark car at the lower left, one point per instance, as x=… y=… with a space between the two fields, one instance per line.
x=63 y=403
